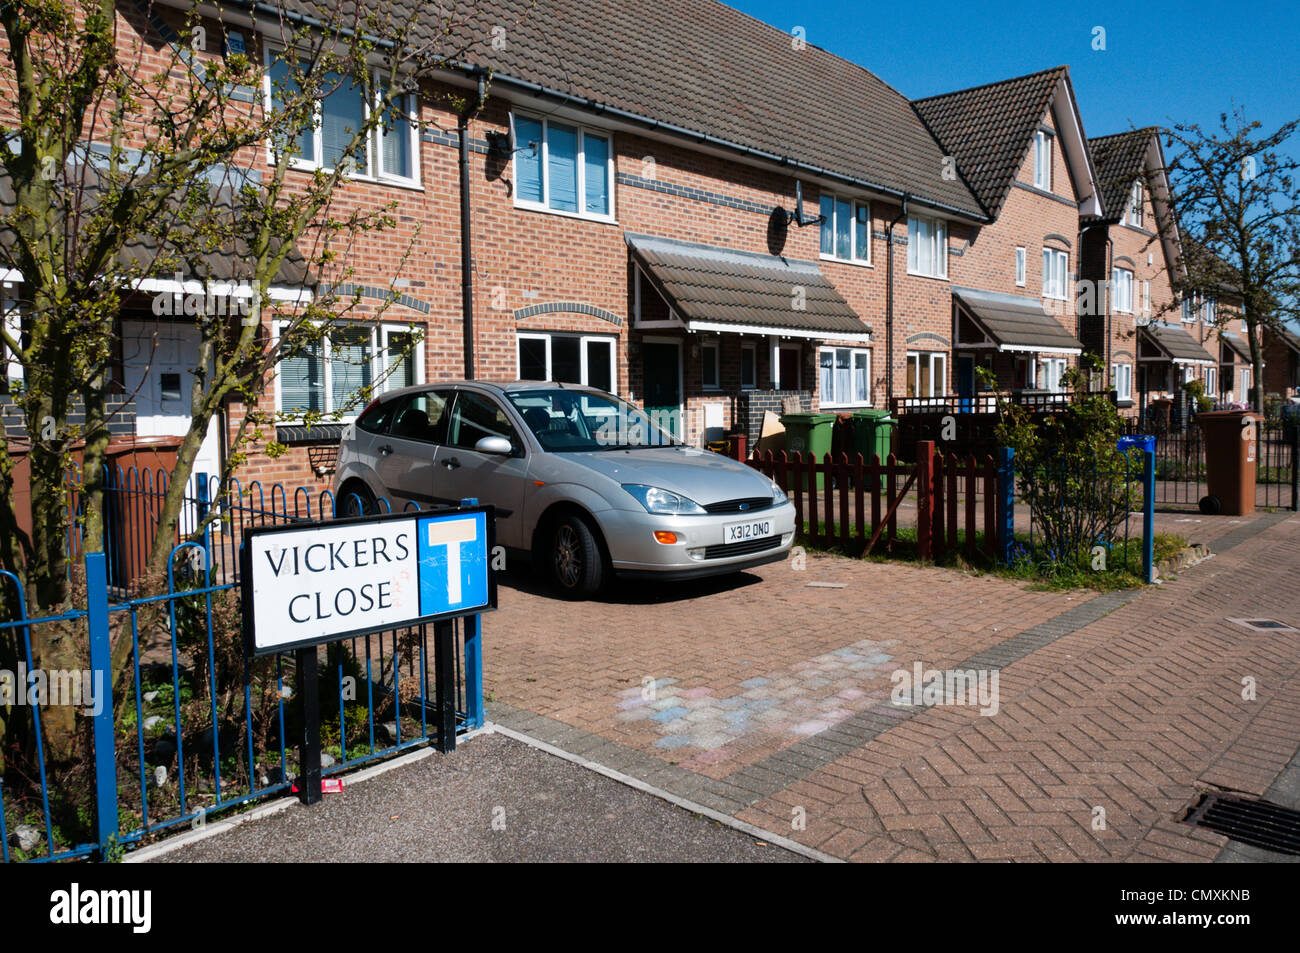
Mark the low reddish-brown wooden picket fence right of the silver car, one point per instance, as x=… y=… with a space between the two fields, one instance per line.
x=956 y=500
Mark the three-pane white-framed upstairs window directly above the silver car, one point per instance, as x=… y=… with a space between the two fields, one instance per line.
x=570 y=170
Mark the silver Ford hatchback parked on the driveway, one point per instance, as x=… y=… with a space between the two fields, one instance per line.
x=583 y=482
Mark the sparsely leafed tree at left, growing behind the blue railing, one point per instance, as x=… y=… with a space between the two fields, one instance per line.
x=145 y=142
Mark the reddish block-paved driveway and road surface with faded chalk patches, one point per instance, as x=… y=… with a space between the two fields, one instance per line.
x=768 y=698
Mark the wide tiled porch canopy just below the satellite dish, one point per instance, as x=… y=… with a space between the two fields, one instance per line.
x=713 y=289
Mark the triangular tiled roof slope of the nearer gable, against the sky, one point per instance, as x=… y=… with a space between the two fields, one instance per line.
x=990 y=129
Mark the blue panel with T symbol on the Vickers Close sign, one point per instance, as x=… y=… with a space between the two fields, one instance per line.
x=453 y=562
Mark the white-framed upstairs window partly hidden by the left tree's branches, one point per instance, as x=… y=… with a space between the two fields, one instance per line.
x=389 y=153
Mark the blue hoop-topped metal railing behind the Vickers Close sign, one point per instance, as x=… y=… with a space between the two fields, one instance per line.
x=194 y=727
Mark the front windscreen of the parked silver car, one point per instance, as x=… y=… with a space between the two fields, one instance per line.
x=578 y=422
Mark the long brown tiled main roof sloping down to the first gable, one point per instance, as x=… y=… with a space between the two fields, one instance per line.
x=705 y=68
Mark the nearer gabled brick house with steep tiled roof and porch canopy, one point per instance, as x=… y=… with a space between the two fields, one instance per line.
x=1021 y=146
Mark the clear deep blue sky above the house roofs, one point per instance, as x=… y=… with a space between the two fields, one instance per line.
x=1163 y=63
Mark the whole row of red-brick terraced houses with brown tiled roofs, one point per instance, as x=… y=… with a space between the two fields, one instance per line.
x=712 y=218
